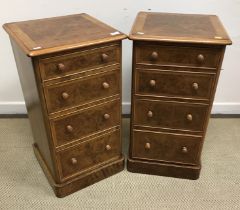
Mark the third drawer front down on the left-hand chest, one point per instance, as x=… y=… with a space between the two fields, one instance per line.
x=83 y=123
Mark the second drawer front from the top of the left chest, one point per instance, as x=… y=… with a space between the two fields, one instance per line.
x=83 y=90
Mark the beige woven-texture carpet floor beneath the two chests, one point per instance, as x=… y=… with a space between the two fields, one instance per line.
x=24 y=186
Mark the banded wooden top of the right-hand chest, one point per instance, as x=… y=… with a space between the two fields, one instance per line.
x=188 y=28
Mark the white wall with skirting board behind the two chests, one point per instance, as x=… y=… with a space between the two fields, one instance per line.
x=121 y=14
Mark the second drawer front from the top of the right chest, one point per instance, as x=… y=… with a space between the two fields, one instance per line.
x=174 y=84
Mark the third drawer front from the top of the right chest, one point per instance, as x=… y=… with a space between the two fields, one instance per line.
x=174 y=115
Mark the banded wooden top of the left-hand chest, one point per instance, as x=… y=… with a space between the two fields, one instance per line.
x=37 y=37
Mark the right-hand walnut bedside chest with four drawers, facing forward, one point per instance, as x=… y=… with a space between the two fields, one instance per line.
x=176 y=64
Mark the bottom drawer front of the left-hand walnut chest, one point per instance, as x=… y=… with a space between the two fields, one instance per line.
x=88 y=154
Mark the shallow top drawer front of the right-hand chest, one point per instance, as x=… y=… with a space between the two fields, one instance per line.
x=177 y=55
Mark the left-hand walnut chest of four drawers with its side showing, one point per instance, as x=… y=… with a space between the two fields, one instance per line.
x=70 y=72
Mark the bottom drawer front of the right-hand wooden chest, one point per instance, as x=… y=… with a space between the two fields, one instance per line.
x=168 y=147
